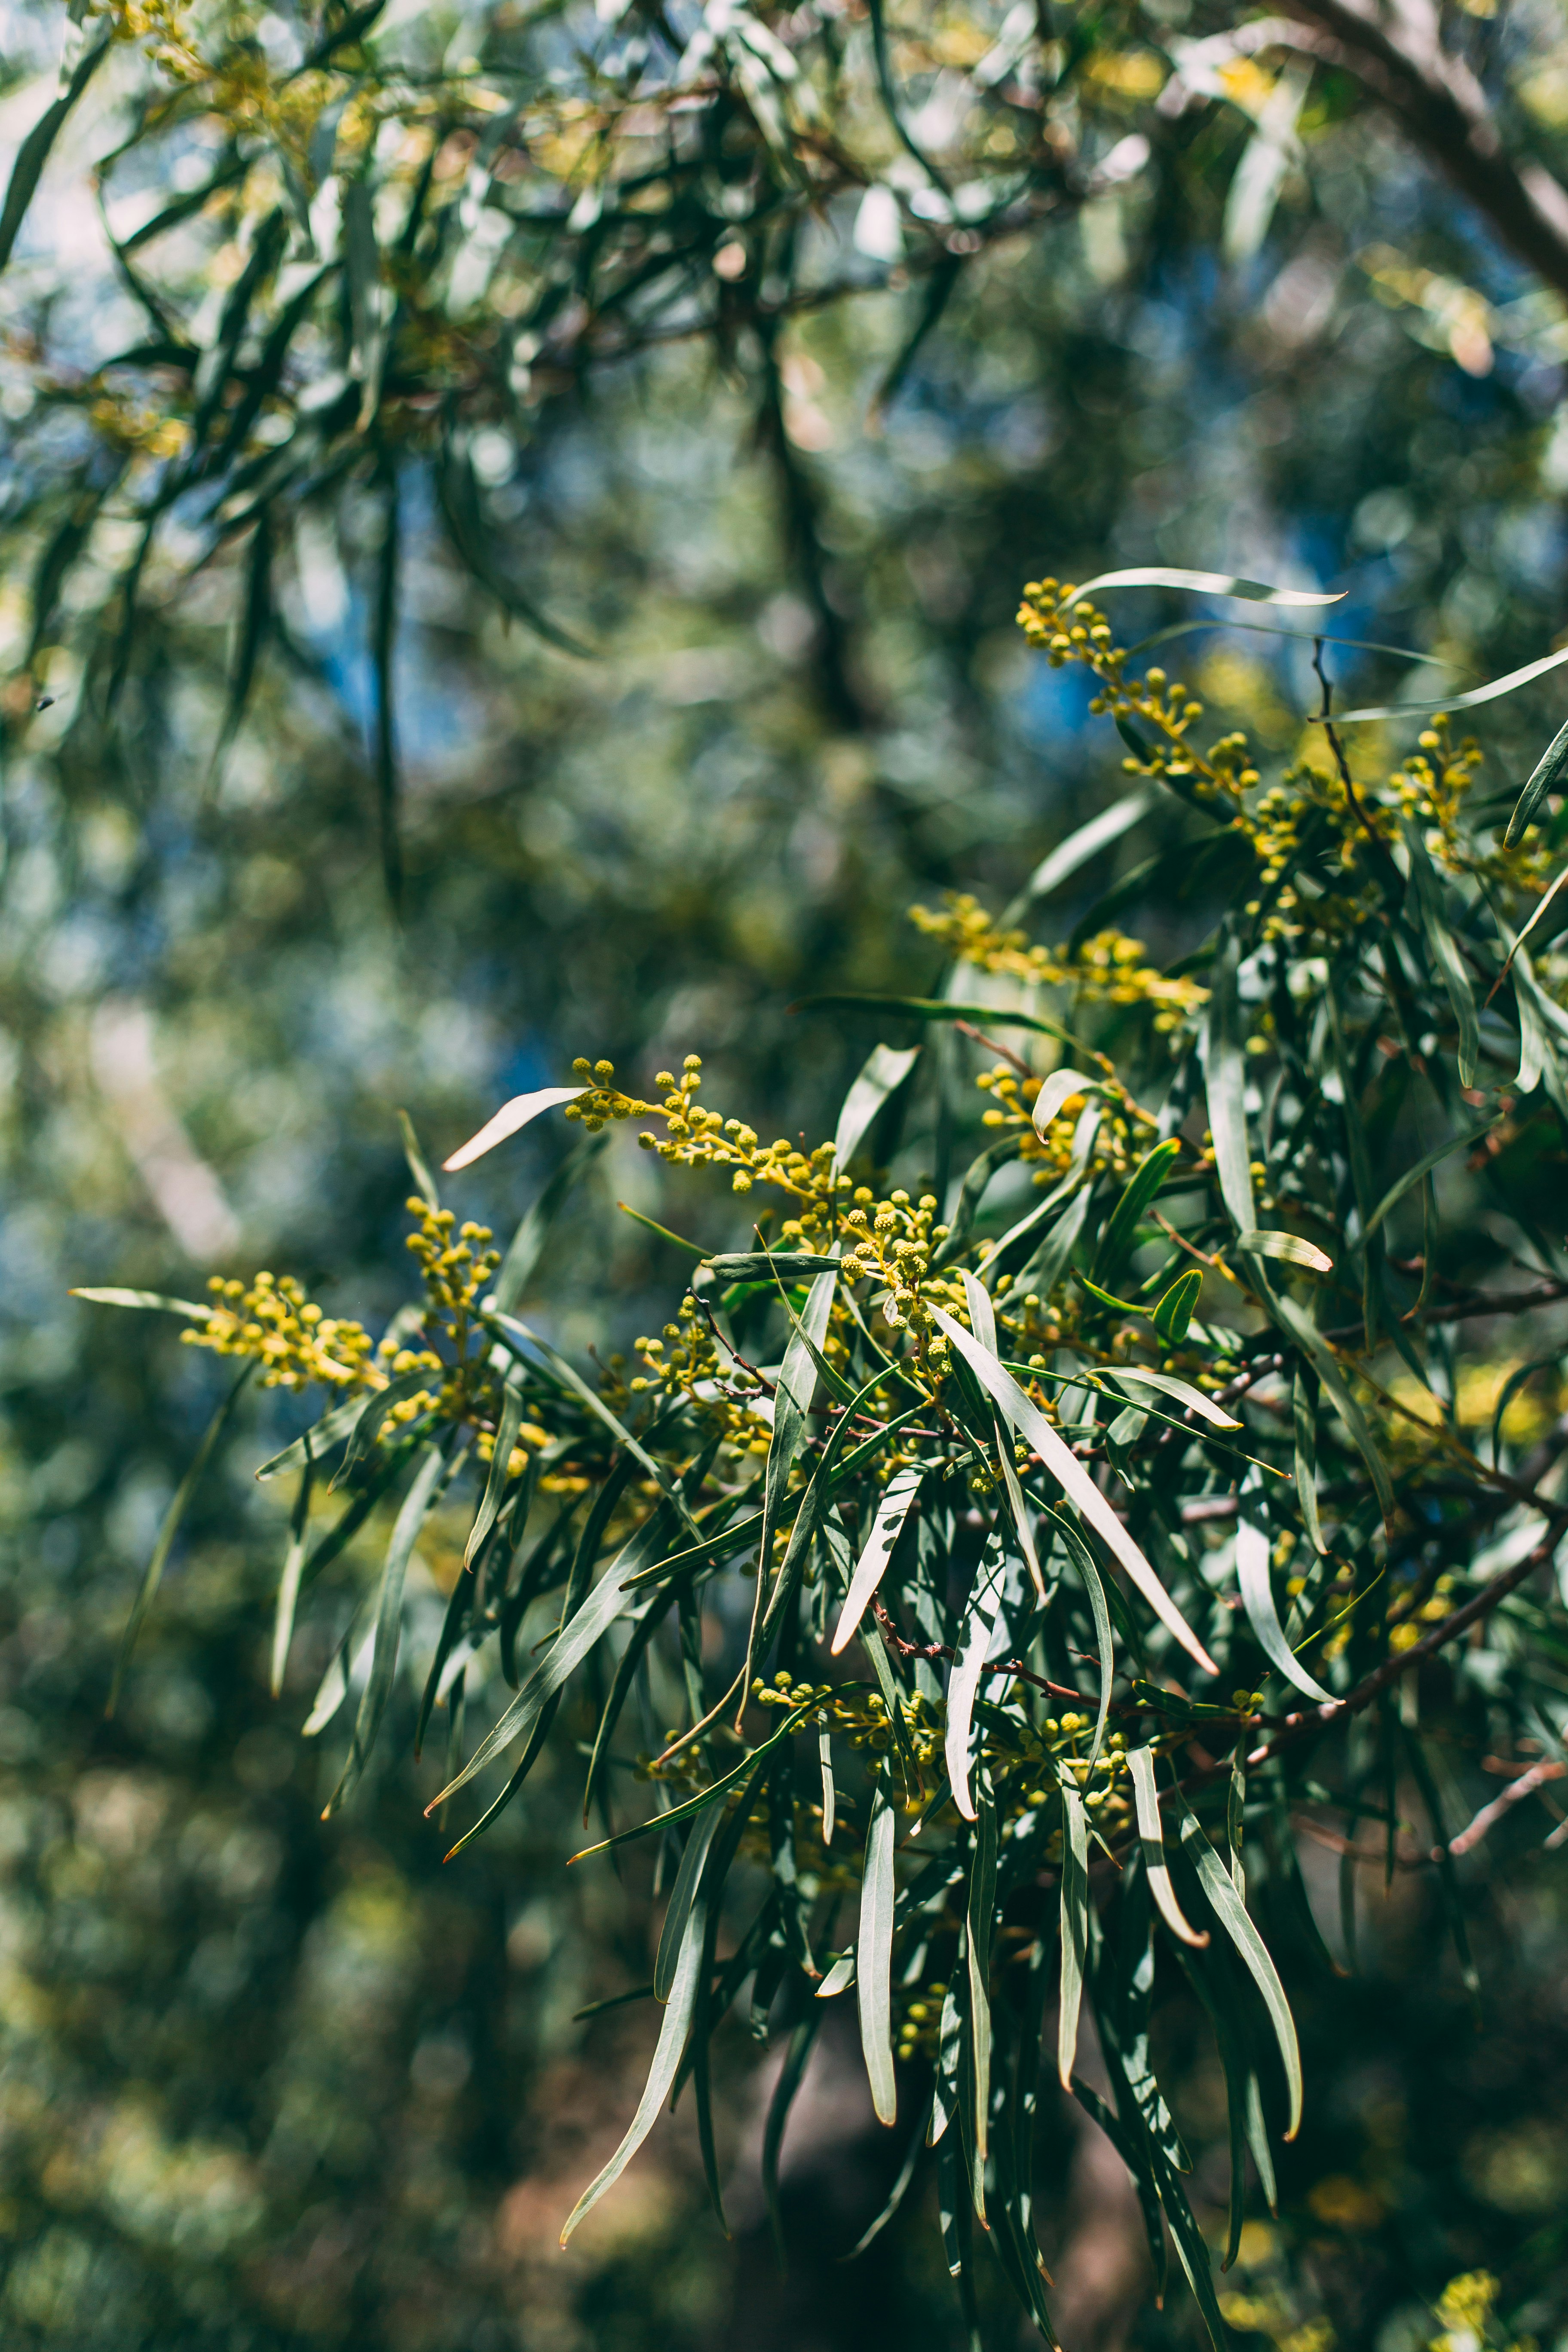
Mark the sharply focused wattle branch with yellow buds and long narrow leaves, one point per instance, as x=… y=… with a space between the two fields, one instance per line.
x=1257 y=1478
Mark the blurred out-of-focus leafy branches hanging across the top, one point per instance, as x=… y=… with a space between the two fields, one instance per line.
x=370 y=253
